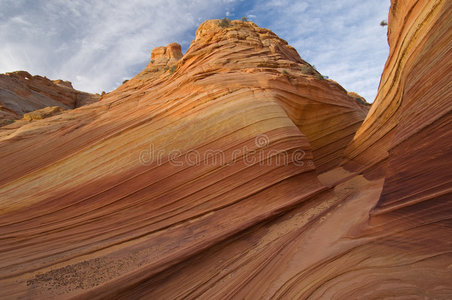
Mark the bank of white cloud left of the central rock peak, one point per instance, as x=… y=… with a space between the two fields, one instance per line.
x=94 y=44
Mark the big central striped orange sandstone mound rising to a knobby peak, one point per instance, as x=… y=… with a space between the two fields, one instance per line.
x=97 y=196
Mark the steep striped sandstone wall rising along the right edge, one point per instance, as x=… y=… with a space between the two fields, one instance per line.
x=408 y=128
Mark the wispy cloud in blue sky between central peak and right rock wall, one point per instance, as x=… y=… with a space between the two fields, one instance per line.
x=342 y=39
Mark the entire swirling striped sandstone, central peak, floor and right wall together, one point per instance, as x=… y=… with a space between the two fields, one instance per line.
x=222 y=174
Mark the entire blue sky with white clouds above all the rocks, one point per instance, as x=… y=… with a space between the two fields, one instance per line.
x=98 y=44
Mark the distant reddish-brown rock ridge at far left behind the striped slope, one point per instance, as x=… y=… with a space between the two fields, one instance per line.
x=21 y=93
